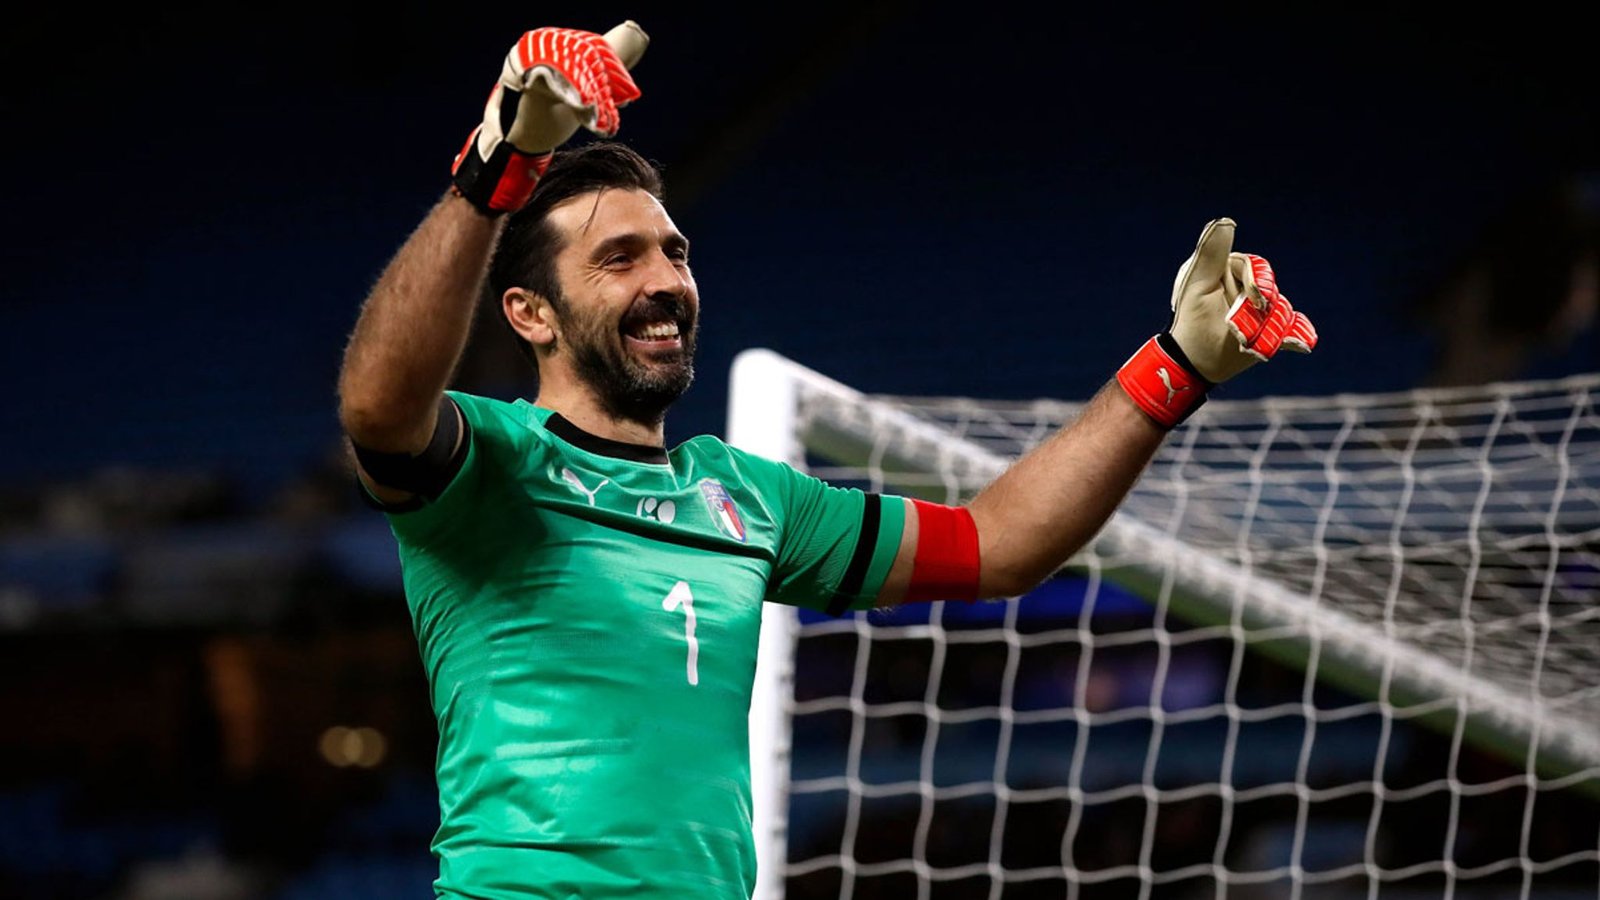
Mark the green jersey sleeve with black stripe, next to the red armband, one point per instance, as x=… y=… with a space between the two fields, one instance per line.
x=836 y=545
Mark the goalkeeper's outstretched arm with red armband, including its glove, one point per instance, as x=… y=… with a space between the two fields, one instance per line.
x=1228 y=315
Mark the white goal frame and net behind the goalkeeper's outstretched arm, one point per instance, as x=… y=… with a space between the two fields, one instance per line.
x=1329 y=648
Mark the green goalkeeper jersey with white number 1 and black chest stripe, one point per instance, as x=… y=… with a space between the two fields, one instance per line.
x=588 y=617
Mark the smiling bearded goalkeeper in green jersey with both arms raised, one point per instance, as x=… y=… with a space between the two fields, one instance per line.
x=586 y=601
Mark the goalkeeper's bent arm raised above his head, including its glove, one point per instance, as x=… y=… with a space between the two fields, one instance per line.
x=415 y=323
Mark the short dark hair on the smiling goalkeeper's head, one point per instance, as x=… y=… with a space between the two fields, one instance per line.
x=526 y=255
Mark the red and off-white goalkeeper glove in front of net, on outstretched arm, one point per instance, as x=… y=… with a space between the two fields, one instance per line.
x=1228 y=315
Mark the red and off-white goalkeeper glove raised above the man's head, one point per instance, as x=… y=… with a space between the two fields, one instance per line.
x=554 y=82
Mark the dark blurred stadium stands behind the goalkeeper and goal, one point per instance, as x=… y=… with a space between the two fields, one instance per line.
x=209 y=678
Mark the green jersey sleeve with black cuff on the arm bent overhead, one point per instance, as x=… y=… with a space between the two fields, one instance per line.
x=489 y=441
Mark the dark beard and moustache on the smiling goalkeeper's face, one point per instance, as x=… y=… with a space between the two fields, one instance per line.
x=628 y=387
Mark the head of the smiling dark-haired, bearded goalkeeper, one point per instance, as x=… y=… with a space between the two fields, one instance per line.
x=594 y=278
